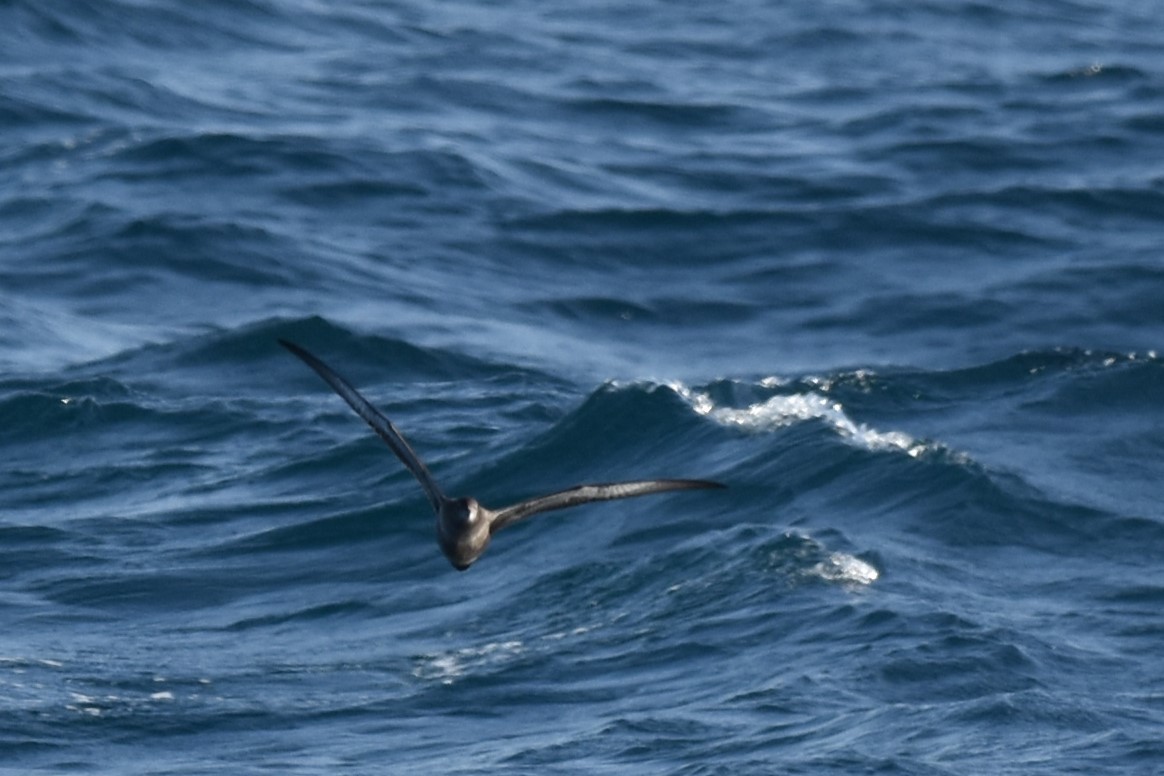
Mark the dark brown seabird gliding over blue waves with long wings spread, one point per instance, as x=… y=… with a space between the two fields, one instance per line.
x=464 y=526
